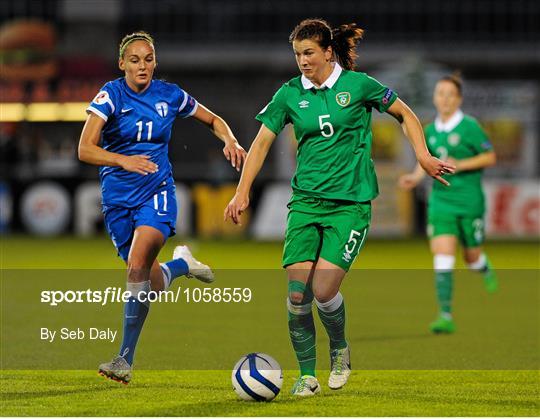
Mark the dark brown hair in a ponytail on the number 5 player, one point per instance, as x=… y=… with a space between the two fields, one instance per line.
x=342 y=39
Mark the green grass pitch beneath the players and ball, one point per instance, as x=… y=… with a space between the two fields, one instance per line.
x=394 y=358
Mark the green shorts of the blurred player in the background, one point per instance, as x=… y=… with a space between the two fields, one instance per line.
x=469 y=230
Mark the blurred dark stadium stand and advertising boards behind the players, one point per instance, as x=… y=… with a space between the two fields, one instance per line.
x=232 y=56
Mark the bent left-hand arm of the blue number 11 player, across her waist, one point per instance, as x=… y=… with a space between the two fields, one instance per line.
x=90 y=152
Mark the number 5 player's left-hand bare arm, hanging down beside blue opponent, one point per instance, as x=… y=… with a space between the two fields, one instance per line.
x=254 y=161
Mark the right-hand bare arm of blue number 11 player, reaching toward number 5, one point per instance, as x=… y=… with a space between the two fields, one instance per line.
x=233 y=151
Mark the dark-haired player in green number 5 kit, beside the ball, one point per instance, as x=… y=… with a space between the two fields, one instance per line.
x=330 y=107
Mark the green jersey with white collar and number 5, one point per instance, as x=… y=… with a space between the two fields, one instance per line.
x=333 y=127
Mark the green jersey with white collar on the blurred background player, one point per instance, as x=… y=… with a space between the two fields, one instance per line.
x=461 y=137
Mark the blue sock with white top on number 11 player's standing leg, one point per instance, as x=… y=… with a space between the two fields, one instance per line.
x=134 y=316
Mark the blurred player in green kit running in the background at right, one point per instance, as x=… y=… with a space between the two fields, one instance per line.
x=455 y=213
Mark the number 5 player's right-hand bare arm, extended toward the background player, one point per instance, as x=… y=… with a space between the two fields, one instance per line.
x=415 y=134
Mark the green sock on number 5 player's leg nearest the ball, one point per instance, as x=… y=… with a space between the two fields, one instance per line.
x=302 y=328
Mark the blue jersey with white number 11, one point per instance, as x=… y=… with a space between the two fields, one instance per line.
x=138 y=124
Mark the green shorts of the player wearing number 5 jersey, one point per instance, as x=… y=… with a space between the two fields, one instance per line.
x=333 y=230
